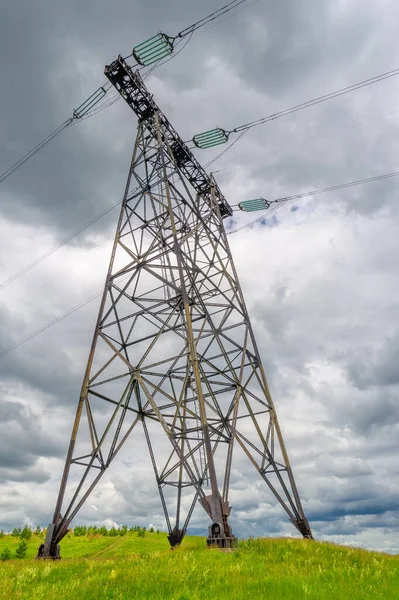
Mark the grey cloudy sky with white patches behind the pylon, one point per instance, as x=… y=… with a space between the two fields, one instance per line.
x=320 y=279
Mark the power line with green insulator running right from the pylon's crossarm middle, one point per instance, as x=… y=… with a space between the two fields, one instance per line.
x=214 y=137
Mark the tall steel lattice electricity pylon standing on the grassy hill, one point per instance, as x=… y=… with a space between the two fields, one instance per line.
x=173 y=348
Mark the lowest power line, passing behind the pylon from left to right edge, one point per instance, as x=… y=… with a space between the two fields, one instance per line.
x=273 y=206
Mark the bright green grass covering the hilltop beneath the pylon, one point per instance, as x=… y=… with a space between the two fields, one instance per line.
x=132 y=567
